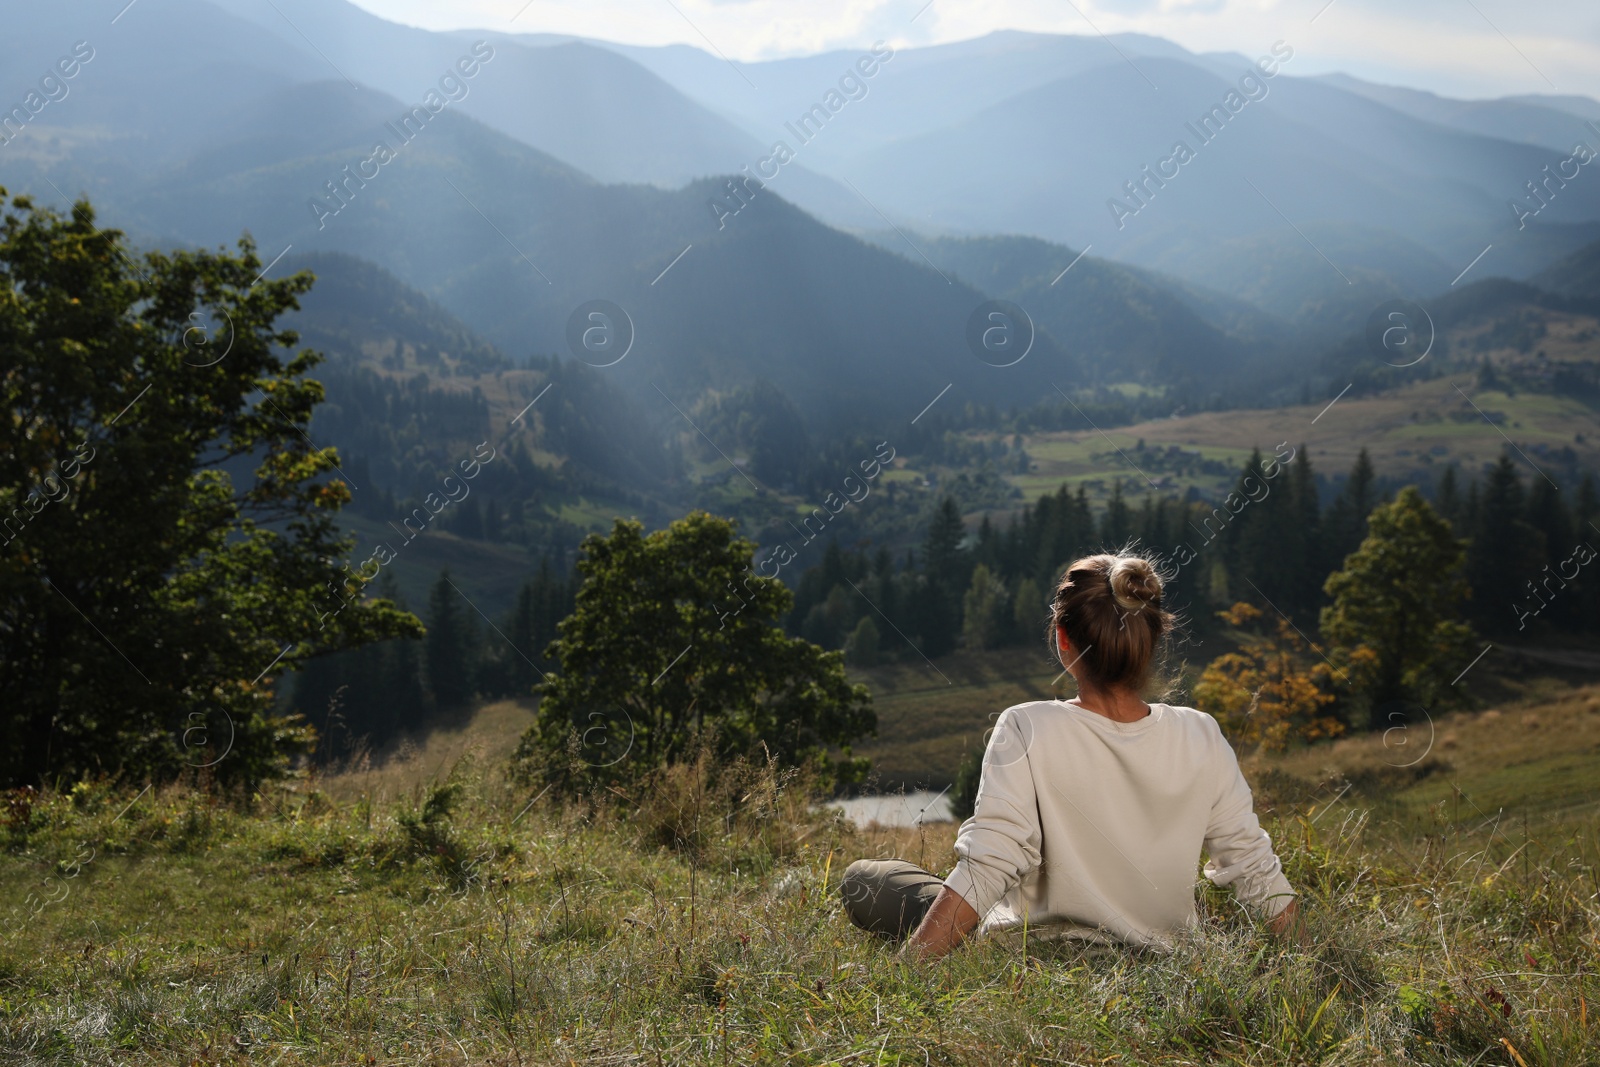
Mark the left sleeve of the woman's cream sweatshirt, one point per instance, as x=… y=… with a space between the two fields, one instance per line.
x=1001 y=844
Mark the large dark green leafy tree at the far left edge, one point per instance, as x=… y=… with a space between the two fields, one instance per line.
x=170 y=532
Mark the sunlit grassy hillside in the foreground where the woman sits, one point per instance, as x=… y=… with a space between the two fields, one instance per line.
x=426 y=913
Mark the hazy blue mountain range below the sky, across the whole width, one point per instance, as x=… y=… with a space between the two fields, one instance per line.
x=524 y=177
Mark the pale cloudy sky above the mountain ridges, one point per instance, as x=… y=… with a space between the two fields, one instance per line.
x=1468 y=49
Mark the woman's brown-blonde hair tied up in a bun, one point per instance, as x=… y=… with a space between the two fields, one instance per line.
x=1111 y=609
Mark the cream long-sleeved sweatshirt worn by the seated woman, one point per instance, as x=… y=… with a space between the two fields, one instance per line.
x=1095 y=828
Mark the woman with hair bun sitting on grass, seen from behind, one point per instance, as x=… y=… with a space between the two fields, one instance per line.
x=1092 y=812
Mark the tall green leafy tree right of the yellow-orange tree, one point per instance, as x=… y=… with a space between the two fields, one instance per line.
x=1398 y=602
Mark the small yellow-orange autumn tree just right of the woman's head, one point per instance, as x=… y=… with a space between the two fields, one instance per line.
x=1271 y=692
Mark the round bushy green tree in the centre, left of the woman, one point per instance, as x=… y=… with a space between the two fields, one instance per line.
x=674 y=644
